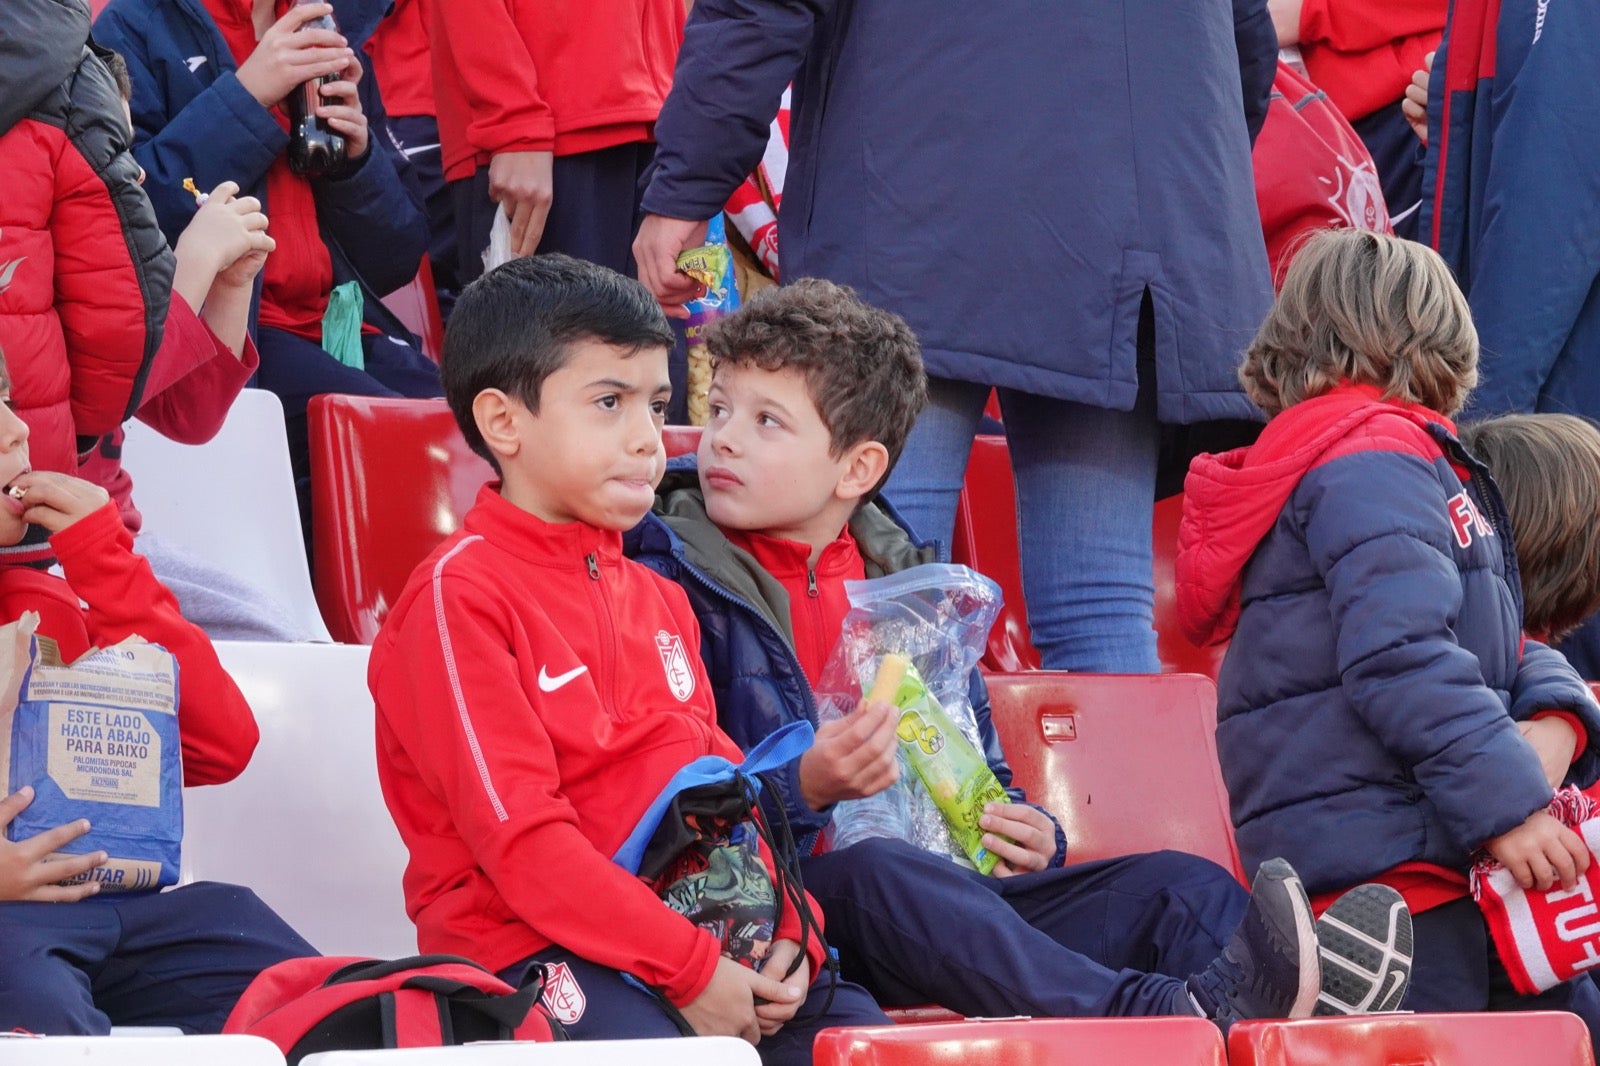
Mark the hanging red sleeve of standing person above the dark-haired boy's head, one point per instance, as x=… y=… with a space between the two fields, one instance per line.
x=479 y=44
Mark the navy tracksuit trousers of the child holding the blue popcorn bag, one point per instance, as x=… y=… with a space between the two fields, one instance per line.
x=142 y=960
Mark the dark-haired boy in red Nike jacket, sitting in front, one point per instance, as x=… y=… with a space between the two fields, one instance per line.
x=537 y=691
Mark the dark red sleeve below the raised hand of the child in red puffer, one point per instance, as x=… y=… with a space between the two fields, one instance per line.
x=194 y=379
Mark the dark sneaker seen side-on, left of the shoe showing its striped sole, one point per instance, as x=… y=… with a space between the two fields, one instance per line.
x=1271 y=968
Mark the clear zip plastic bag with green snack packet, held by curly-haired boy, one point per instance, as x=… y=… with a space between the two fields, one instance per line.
x=937 y=619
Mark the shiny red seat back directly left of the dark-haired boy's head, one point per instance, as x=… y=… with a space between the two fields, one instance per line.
x=391 y=479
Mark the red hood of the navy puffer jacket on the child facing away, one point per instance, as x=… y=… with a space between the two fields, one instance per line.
x=1233 y=500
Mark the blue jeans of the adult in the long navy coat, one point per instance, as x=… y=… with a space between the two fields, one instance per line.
x=1086 y=486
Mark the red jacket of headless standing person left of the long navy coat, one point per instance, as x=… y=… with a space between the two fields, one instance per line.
x=559 y=76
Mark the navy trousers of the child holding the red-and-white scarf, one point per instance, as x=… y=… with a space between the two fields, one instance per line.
x=1458 y=969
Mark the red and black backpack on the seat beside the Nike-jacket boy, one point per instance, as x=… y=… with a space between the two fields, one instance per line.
x=308 y=1006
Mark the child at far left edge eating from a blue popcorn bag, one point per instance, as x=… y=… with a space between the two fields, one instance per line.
x=142 y=958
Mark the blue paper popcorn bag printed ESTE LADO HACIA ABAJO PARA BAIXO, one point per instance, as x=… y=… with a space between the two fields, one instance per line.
x=97 y=739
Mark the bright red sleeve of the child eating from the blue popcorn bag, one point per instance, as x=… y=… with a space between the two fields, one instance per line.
x=126 y=599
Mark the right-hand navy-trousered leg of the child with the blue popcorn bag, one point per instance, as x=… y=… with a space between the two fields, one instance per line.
x=186 y=956
